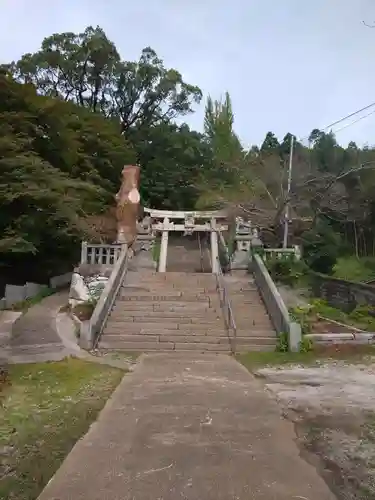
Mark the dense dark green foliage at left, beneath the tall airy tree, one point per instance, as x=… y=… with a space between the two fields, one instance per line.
x=59 y=164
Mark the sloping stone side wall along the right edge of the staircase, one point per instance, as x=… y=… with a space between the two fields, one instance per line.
x=275 y=305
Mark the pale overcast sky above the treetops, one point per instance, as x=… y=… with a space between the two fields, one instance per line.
x=289 y=65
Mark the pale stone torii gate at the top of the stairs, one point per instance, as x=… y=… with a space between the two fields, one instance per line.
x=188 y=222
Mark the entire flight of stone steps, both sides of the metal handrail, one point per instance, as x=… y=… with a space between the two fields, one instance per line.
x=180 y=311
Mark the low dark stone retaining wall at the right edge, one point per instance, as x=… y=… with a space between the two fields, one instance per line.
x=344 y=295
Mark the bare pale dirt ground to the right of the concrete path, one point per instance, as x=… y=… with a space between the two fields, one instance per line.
x=333 y=408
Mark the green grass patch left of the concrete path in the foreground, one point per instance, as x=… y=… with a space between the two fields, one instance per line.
x=48 y=407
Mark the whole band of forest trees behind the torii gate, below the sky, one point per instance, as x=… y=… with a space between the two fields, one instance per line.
x=73 y=113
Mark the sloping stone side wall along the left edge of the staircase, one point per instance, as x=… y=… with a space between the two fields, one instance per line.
x=92 y=329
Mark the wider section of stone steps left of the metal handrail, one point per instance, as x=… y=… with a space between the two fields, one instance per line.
x=166 y=312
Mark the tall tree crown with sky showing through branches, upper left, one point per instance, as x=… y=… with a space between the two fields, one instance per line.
x=87 y=69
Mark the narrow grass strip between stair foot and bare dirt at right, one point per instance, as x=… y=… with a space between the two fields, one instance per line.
x=356 y=354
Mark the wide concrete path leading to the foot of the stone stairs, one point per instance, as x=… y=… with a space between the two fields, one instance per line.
x=188 y=427
